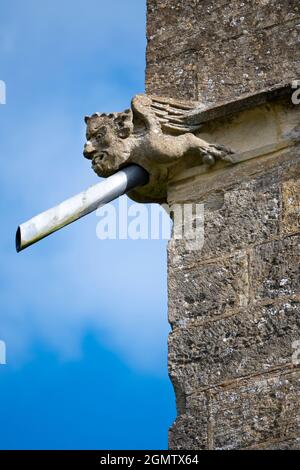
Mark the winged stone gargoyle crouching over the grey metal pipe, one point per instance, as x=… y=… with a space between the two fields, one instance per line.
x=155 y=134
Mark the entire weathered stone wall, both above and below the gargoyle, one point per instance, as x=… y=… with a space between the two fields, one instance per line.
x=234 y=305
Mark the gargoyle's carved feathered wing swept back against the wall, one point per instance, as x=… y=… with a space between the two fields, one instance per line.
x=165 y=114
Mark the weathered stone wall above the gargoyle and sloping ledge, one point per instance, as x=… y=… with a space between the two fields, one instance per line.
x=212 y=50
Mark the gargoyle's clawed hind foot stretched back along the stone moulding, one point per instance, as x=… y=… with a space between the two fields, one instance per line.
x=210 y=153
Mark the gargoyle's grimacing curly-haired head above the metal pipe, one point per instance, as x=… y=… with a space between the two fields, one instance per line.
x=108 y=141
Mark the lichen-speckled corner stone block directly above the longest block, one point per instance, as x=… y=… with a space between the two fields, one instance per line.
x=208 y=290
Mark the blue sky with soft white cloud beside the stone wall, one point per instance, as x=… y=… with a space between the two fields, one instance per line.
x=84 y=321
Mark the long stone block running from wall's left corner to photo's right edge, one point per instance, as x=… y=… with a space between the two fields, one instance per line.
x=252 y=342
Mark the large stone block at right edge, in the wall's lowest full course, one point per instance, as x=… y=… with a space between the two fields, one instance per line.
x=256 y=411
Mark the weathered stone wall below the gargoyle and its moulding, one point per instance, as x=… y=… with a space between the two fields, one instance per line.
x=234 y=307
